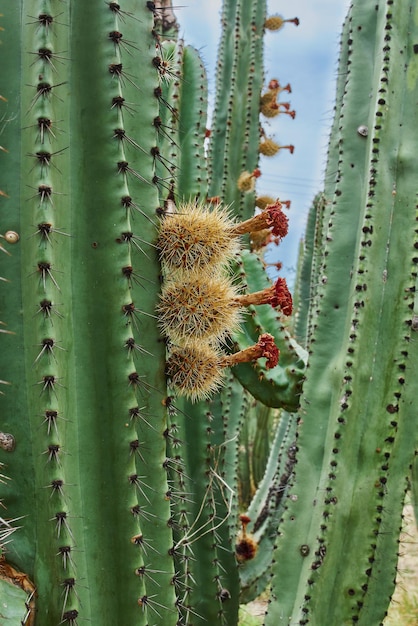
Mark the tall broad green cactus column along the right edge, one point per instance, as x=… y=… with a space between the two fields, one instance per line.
x=337 y=545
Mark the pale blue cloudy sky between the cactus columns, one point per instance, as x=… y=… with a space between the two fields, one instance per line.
x=306 y=57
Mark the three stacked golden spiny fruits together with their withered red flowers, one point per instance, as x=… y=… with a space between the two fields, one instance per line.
x=199 y=305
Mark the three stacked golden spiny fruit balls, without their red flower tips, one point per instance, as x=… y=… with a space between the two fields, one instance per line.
x=195 y=313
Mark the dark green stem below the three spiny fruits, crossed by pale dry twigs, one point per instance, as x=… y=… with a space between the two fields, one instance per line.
x=205 y=513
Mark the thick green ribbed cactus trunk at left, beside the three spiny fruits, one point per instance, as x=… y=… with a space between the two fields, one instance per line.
x=88 y=384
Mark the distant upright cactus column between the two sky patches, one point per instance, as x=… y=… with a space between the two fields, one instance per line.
x=239 y=72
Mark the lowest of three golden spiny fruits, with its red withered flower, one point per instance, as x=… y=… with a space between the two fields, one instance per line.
x=198 y=371
